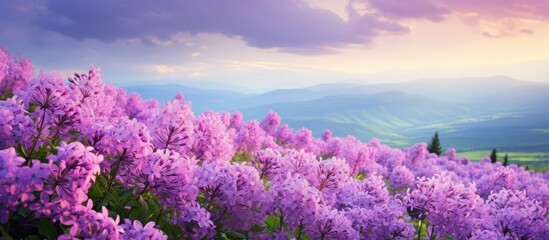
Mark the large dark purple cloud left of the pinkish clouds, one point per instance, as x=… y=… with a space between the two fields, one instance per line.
x=289 y=25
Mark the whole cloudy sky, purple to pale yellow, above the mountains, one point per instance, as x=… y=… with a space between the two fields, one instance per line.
x=265 y=44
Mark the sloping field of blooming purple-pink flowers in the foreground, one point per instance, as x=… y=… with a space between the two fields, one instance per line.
x=81 y=159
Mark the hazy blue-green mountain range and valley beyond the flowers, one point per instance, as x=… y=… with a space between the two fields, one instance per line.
x=469 y=113
